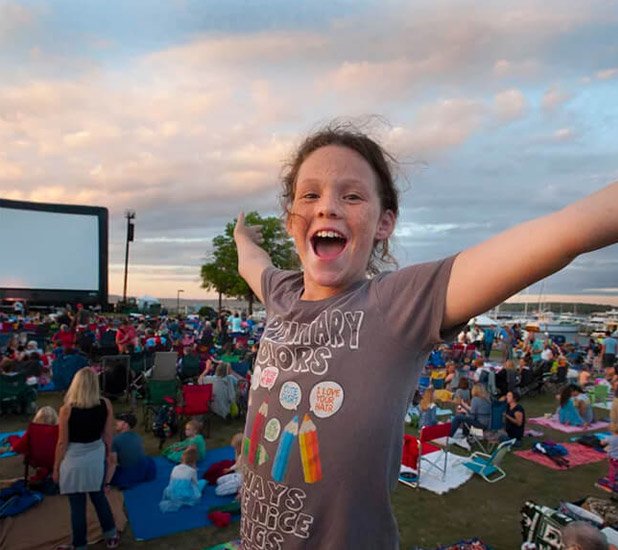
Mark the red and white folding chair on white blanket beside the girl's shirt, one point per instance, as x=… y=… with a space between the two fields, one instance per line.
x=417 y=450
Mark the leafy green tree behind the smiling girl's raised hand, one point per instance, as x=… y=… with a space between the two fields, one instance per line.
x=221 y=272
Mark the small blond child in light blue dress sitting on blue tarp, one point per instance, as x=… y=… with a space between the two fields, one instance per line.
x=184 y=489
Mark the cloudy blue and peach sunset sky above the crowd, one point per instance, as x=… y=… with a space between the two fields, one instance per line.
x=184 y=111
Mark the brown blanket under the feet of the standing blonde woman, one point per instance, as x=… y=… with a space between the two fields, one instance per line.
x=48 y=524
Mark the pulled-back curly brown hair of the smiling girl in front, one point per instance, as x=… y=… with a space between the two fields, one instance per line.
x=381 y=162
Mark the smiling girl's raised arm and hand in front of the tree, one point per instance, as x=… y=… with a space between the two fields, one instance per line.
x=252 y=259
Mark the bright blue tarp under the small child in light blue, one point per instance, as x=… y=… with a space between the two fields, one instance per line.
x=142 y=501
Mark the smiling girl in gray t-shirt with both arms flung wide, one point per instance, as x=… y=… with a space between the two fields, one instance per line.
x=344 y=343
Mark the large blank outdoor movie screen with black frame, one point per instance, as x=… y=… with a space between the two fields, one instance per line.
x=58 y=252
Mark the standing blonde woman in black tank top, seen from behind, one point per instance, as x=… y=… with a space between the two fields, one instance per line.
x=84 y=446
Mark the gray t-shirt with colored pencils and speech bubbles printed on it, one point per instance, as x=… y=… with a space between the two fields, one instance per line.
x=332 y=378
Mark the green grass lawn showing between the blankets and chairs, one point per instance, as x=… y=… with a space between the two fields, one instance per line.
x=488 y=511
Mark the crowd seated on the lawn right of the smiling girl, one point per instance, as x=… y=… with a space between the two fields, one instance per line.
x=534 y=362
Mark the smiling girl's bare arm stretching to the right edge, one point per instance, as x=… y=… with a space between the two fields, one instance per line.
x=485 y=275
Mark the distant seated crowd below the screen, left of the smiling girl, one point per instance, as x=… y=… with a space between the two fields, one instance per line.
x=72 y=339
